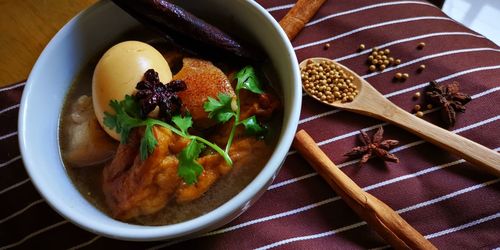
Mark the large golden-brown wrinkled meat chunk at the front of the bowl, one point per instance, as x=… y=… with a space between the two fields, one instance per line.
x=133 y=187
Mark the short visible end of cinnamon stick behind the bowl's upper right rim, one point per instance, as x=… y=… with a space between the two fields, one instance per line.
x=295 y=20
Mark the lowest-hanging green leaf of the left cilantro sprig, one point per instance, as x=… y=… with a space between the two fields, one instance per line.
x=189 y=169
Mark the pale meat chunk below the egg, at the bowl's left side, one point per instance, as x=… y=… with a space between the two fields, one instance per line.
x=89 y=144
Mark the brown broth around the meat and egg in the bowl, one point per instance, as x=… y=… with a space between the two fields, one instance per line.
x=88 y=180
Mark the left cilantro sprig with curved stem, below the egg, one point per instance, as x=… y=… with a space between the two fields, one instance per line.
x=127 y=117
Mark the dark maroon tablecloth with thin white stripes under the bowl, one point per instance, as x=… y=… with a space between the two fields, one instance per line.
x=443 y=197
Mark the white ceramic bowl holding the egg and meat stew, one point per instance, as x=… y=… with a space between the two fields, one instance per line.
x=85 y=37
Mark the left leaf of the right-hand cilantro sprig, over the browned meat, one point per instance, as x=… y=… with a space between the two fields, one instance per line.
x=220 y=110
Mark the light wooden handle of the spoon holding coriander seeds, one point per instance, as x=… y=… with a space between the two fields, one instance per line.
x=472 y=152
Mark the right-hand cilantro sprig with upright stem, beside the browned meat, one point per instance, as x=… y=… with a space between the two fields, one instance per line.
x=221 y=110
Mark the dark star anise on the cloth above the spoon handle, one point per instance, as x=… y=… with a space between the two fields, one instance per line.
x=449 y=98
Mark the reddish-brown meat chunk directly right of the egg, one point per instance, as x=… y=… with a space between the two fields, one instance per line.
x=203 y=80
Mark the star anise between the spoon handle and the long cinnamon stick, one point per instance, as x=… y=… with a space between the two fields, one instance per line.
x=374 y=147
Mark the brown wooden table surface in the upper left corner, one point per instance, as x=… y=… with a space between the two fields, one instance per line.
x=26 y=27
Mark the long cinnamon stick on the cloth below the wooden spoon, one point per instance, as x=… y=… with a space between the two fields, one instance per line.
x=386 y=222
